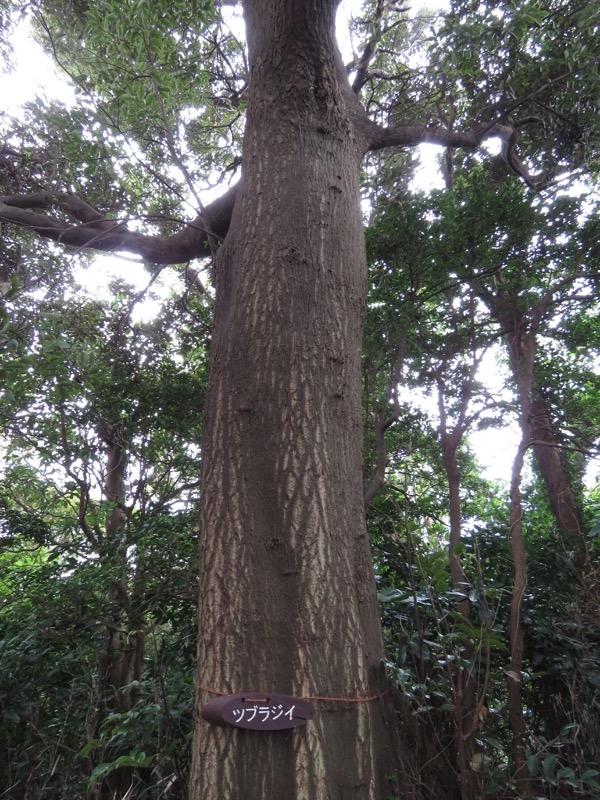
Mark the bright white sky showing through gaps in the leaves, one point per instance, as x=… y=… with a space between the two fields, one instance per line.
x=35 y=75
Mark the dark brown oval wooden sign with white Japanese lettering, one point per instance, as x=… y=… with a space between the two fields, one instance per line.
x=258 y=712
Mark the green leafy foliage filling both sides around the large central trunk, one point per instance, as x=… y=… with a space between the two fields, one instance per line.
x=453 y=273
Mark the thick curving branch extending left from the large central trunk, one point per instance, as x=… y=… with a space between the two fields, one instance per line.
x=94 y=231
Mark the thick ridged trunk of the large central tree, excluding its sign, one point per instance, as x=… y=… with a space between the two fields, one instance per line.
x=288 y=601
